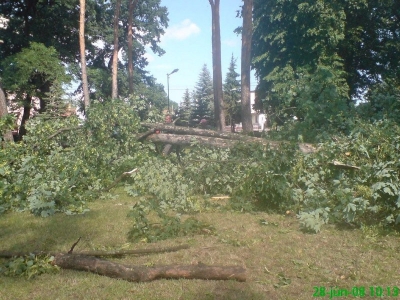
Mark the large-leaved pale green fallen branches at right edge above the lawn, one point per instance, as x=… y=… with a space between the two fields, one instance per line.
x=366 y=196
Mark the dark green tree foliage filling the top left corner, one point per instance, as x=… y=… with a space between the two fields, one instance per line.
x=48 y=22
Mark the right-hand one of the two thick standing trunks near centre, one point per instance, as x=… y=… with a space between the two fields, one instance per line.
x=246 y=60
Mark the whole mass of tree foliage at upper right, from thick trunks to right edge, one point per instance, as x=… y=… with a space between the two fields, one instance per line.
x=315 y=58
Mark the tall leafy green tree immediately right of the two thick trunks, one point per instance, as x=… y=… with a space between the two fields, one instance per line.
x=295 y=46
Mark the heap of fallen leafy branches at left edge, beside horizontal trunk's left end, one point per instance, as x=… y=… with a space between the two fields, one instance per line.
x=62 y=163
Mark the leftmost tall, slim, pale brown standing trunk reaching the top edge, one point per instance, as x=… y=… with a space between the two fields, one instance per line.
x=83 y=55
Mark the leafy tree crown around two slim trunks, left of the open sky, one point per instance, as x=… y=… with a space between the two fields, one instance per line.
x=149 y=22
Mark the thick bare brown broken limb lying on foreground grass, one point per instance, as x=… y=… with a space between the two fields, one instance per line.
x=143 y=273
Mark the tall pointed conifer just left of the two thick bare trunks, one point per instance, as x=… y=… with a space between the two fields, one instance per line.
x=202 y=104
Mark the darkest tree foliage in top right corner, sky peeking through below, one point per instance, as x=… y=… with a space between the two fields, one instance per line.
x=371 y=47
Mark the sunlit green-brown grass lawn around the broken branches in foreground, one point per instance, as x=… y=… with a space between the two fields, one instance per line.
x=282 y=262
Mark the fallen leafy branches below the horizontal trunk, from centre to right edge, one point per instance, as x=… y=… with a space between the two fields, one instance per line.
x=285 y=179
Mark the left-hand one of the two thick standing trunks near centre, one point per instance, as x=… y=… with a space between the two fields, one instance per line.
x=217 y=69
